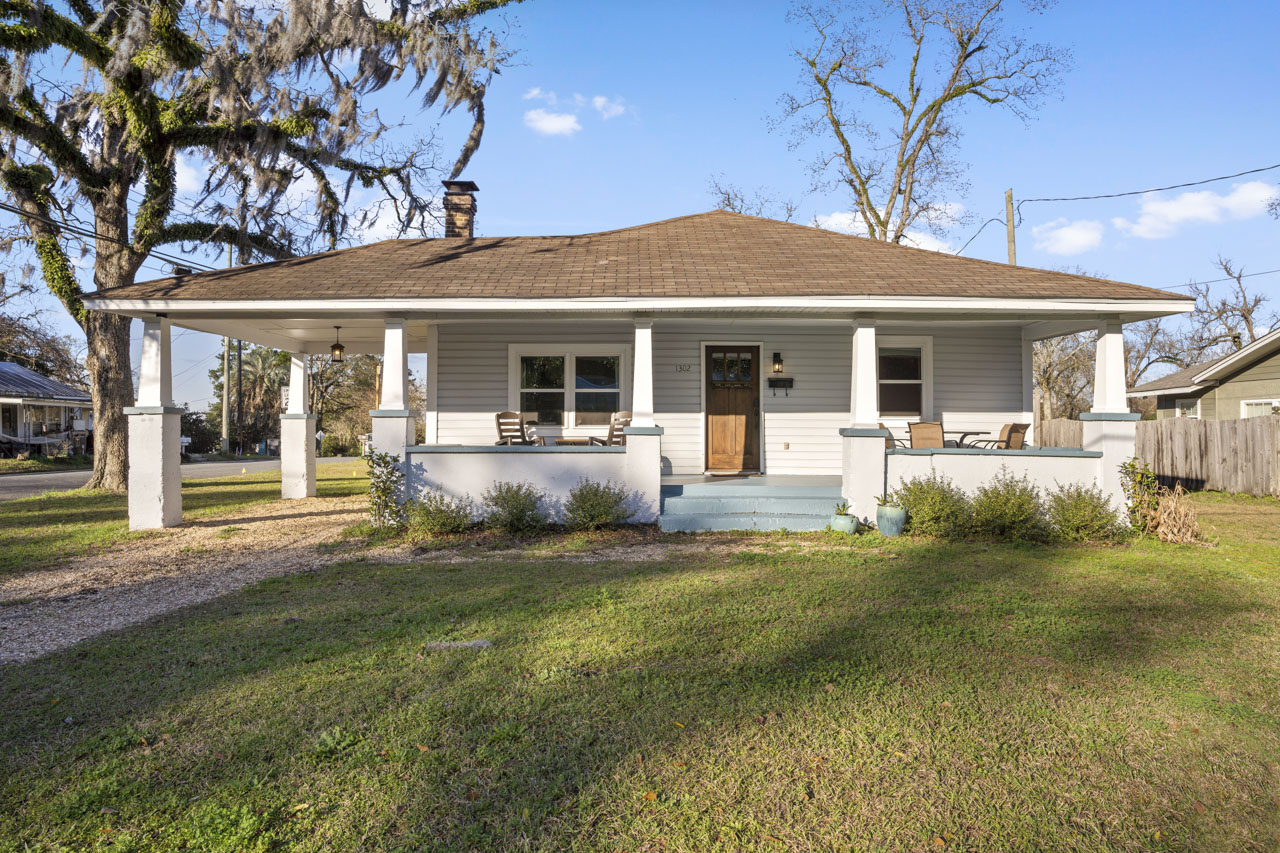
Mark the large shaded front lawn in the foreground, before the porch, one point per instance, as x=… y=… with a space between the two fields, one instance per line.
x=793 y=696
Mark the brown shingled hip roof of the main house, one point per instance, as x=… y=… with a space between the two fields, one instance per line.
x=715 y=254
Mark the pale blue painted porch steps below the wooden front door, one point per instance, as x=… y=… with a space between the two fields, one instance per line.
x=748 y=503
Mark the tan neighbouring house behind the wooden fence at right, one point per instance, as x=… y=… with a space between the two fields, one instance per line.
x=1245 y=384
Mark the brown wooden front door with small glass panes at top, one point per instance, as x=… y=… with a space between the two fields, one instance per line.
x=733 y=409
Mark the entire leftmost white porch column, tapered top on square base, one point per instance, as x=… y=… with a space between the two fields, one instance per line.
x=156 y=434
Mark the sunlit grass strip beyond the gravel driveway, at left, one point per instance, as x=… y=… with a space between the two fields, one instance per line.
x=48 y=530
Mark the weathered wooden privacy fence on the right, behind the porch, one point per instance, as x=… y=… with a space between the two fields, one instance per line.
x=1219 y=455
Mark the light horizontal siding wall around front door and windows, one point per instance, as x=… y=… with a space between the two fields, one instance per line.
x=977 y=381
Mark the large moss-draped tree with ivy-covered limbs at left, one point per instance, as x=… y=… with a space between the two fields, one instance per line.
x=98 y=99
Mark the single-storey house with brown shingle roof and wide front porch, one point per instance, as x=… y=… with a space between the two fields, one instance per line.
x=740 y=345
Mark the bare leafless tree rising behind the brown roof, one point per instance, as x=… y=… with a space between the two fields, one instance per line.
x=889 y=125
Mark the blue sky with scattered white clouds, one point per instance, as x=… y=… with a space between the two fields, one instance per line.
x=616 y=115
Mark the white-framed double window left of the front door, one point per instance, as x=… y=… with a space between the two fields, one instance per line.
x=574 y=387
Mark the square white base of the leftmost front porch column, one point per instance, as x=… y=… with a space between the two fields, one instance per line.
x=156 y=467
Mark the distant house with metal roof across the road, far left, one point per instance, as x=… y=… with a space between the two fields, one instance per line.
x=38 y=412
